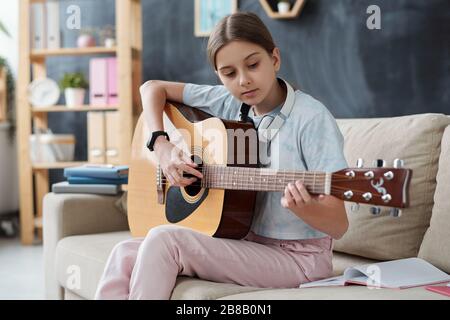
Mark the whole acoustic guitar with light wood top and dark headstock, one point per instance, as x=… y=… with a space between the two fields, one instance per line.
x=222 y=203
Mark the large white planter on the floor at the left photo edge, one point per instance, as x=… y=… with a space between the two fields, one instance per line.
x=9 y=185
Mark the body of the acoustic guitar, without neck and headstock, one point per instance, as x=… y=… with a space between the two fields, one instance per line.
x=215 y=212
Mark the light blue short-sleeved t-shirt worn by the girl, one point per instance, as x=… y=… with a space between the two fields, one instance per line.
x=309 y=140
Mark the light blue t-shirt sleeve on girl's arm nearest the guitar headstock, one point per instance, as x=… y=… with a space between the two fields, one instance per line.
x=322 y=144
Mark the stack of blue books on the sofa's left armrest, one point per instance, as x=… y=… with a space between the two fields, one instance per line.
x=99 y=179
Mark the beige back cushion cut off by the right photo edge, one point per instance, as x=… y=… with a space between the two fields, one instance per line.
x=435 y=245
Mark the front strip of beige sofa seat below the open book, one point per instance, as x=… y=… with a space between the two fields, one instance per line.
x=340 y=293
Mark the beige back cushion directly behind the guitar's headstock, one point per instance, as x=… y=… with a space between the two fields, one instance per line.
x=415 y=139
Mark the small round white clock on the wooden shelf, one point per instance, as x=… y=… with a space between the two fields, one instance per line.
x=43 y=92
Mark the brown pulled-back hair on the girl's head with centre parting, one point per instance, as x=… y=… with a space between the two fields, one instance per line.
x=243 y=26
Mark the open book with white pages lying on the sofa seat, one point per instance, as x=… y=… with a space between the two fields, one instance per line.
x=396 y=274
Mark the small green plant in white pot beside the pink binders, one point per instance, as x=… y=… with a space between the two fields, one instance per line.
x=74 y=86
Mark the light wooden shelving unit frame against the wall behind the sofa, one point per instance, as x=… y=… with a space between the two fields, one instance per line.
x=32 y=64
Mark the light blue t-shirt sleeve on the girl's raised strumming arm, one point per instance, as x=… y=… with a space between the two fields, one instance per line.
x=215 y=100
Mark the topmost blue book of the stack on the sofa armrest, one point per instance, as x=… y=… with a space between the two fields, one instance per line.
x=97 y=171
